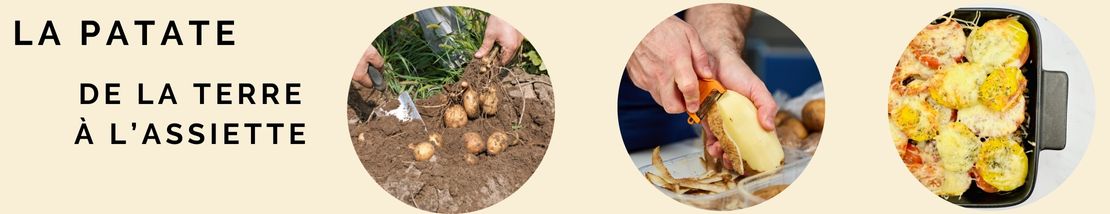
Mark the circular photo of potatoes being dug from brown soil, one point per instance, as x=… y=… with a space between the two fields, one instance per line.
x=451 y=110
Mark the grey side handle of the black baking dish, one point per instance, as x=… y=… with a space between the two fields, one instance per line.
x=1054 y=120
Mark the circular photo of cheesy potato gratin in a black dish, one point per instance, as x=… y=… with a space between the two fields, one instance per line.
x=977 y=104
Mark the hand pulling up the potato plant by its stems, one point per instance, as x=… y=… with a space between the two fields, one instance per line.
x=501 y=33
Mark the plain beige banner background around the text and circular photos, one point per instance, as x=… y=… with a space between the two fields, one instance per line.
x=317 y=44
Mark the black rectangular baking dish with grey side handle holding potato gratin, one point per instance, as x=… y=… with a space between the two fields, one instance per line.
x=1046 y=110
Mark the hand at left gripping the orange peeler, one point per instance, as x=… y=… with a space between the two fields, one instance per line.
x=668 y=65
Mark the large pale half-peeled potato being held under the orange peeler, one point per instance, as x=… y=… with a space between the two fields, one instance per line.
x=733 y=120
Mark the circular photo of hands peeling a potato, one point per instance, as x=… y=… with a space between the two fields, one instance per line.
x=721 y=107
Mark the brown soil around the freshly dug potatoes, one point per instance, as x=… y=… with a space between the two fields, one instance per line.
x=448 y=184
